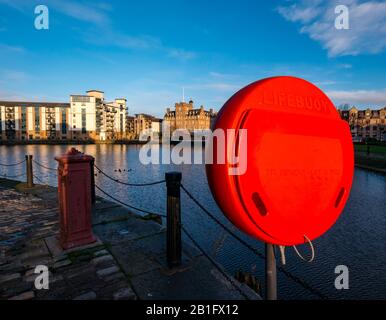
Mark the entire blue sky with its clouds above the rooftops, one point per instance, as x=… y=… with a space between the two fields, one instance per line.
x=147 y=51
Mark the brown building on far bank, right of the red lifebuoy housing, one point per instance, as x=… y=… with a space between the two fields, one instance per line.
x=366 y=124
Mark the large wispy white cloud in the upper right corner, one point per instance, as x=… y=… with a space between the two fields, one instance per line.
x=367 y=33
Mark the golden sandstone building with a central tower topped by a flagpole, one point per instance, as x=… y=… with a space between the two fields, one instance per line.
x=185 y=116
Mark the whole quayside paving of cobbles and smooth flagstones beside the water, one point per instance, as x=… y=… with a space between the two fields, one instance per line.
x=127 y=263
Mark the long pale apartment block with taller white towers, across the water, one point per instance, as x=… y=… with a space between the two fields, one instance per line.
x=86 y=117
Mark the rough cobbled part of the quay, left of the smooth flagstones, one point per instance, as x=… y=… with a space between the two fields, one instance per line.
x=28 y=230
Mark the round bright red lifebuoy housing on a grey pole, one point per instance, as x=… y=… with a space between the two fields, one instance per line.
x=300 y=162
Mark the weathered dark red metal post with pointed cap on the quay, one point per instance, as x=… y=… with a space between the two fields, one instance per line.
x=75 y=199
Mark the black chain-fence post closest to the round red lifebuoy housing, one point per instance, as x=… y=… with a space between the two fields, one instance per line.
x=173 y=233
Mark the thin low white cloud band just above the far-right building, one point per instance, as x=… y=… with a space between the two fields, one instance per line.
x=372 y=97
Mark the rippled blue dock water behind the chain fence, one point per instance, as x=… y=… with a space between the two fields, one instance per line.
x=358 y=240
